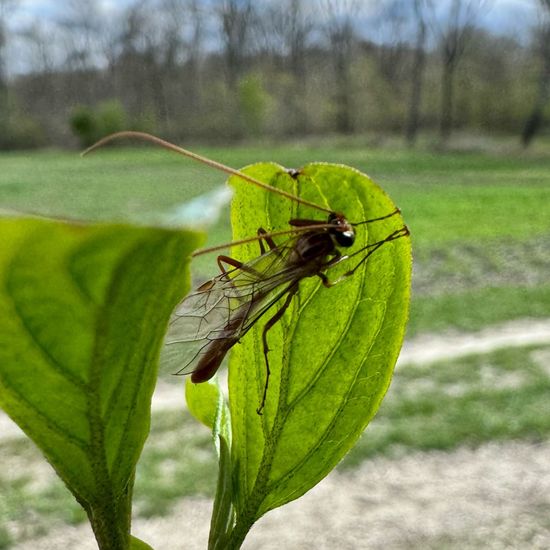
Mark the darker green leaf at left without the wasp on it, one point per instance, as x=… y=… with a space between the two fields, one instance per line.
x=83 y=311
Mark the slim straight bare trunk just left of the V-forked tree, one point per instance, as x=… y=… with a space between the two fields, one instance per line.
x=418 y=66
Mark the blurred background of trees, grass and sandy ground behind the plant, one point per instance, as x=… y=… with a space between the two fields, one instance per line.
x=446 y=104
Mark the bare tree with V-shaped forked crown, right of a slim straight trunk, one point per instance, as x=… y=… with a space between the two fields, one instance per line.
x=453 y=30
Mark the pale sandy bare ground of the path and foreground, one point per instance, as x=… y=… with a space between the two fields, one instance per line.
x=496 y=496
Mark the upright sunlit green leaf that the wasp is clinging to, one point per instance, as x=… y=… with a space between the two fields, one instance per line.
x=333 y=352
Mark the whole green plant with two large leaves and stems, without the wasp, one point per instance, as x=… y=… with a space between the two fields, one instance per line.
x=84 y=312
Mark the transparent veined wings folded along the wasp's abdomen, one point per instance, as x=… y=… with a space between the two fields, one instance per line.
x=223 y=309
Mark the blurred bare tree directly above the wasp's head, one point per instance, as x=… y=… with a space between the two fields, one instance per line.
x=339 y=28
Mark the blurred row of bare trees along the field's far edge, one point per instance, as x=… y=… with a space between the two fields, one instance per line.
x=231 y=69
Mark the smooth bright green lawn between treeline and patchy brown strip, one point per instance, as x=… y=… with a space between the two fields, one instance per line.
x=445 y=197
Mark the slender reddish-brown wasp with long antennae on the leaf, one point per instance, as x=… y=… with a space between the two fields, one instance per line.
x=210 y=320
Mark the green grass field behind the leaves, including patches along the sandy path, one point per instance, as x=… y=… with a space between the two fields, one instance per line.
x=480 y=225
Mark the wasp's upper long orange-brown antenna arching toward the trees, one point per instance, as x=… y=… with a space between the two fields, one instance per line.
x=217 y=165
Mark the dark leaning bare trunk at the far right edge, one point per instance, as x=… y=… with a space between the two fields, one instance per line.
x=536 y=117
